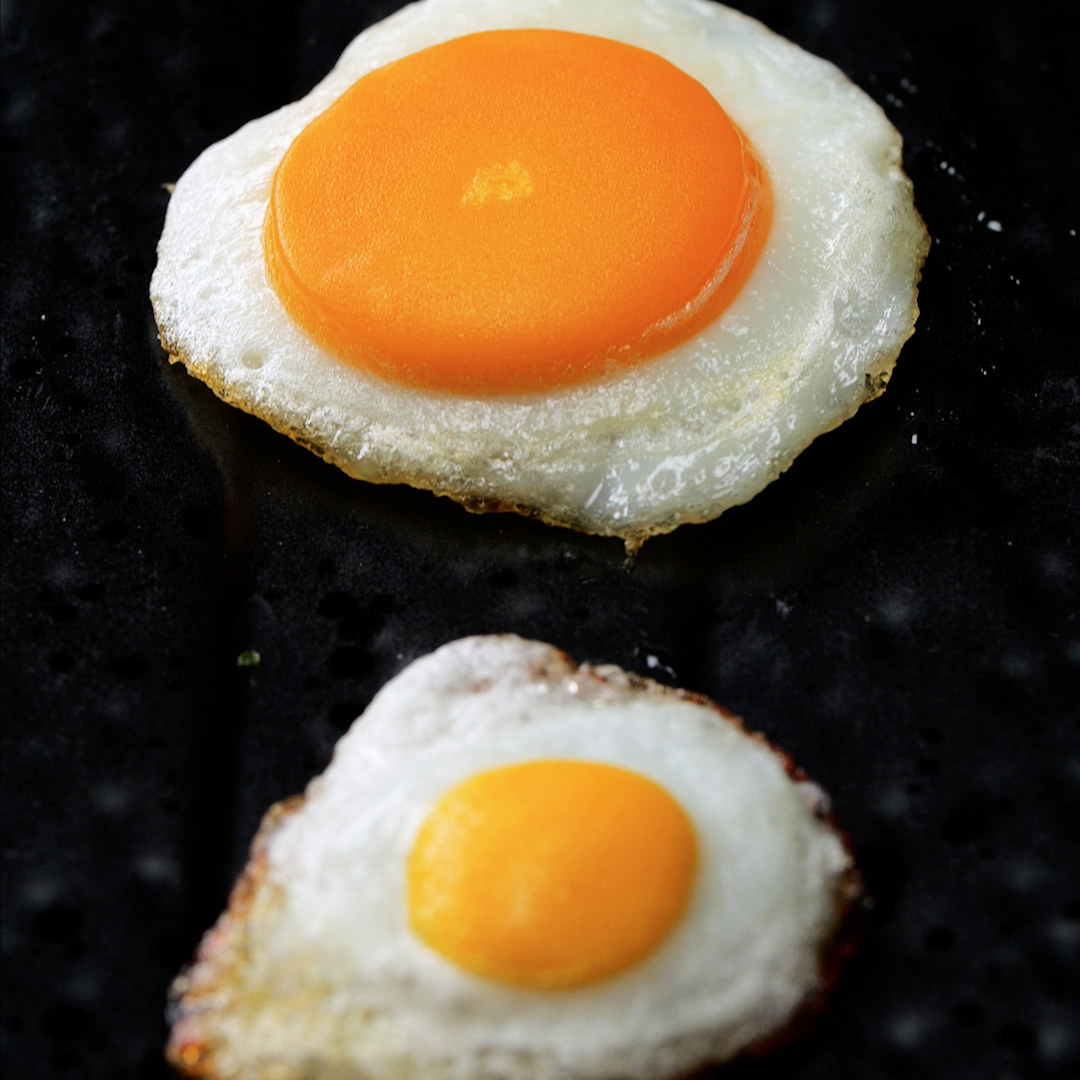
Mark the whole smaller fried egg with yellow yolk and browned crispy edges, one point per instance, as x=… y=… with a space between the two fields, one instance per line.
x=520 y=869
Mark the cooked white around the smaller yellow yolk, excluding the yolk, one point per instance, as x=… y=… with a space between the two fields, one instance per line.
x=315 y=973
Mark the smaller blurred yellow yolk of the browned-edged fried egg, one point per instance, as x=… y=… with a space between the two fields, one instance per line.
x=551 y=874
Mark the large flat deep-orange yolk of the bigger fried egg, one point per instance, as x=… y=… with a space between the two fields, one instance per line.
x=515 y=211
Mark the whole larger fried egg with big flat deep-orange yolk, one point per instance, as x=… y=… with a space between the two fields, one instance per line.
x=612 y=265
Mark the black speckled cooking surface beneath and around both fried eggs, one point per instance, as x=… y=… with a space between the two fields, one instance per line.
x=899 y=611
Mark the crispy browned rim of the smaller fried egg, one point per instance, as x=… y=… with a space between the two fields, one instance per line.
x=195 y=1057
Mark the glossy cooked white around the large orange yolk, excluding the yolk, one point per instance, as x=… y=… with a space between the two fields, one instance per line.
x=812 y=337
